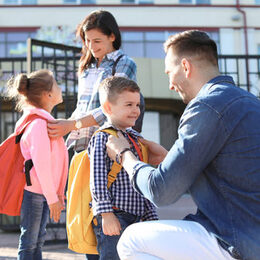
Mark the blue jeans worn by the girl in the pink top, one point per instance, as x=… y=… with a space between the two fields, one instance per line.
x=34 y=217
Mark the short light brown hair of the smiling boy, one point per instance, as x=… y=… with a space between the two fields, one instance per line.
x=112 y=86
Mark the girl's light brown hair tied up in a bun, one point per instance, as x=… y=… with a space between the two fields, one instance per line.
x=29 y=89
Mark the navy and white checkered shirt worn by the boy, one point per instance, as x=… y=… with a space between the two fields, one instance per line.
x=121 y=194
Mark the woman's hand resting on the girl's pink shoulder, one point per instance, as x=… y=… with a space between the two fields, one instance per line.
x=60 y=127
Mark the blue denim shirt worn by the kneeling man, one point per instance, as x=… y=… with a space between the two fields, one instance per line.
x=217 y=159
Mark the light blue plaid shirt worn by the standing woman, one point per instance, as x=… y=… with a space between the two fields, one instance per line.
x=88 y=97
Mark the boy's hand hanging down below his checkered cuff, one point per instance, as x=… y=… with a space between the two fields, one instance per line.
x=110 y=224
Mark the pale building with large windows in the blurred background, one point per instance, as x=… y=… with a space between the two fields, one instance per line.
x=145 y=25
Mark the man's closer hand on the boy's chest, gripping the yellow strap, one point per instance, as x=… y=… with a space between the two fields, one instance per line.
x=116 y=145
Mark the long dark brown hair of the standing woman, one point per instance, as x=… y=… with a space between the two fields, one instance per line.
x=103 y=21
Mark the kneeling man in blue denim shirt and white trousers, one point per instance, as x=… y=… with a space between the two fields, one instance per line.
x=216 y=158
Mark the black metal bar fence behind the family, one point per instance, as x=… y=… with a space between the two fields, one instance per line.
x=63 y=61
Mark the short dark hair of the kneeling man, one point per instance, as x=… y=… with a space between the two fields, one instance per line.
x=193 y=43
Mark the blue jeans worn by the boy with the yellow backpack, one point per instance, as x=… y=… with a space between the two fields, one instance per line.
x=106 y=245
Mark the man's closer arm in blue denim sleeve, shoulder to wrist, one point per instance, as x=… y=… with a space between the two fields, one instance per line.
x=201 y=136
